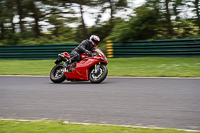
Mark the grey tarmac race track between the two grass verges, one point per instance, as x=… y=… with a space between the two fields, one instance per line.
x=157 y=102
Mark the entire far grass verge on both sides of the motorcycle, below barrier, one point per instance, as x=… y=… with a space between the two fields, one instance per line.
x=133 y=67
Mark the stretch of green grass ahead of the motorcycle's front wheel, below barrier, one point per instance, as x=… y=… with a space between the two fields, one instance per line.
x=155 y=67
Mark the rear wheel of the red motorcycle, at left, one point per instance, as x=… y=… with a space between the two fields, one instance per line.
x=57 y=74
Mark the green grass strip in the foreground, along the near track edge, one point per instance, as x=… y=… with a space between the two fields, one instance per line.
x=14 y=126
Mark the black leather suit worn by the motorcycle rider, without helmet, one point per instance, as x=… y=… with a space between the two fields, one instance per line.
x=83 y=47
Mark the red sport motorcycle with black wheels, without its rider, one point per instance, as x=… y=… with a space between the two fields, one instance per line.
x=91 y=67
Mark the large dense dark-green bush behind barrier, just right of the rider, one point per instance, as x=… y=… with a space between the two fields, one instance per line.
x=139 y=27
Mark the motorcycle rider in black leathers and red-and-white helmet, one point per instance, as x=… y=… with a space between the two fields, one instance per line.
x=86 y=46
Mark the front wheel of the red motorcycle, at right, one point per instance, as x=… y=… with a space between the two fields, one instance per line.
x=98 y=77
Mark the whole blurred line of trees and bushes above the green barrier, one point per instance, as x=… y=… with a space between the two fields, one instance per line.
x=23 y=21
